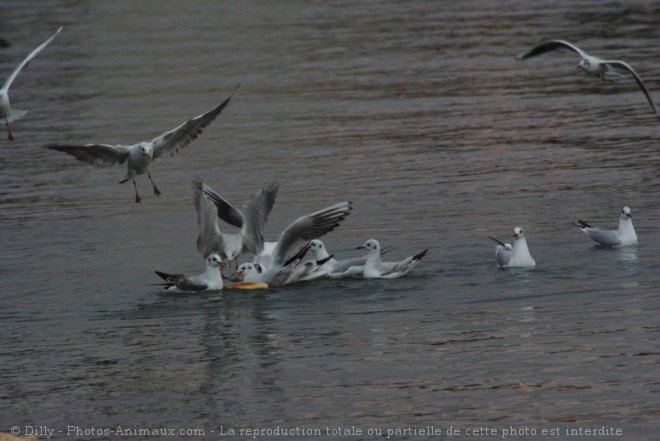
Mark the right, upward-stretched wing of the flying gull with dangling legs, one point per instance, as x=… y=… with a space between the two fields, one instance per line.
x=171 y=142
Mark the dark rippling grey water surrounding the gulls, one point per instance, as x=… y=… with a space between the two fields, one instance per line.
x=417 y=112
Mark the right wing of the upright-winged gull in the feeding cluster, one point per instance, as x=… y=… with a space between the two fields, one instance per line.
x=255 y=216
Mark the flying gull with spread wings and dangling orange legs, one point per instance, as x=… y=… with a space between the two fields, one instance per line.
x=138 y=157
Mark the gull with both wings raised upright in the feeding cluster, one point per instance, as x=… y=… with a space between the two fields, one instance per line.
x=251 y=220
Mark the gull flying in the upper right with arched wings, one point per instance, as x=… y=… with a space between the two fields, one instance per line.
x=604 y=69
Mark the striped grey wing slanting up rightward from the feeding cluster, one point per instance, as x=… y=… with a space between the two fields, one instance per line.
x=311 y=226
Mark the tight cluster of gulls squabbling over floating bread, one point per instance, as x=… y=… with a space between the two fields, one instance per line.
x=275 y=263
